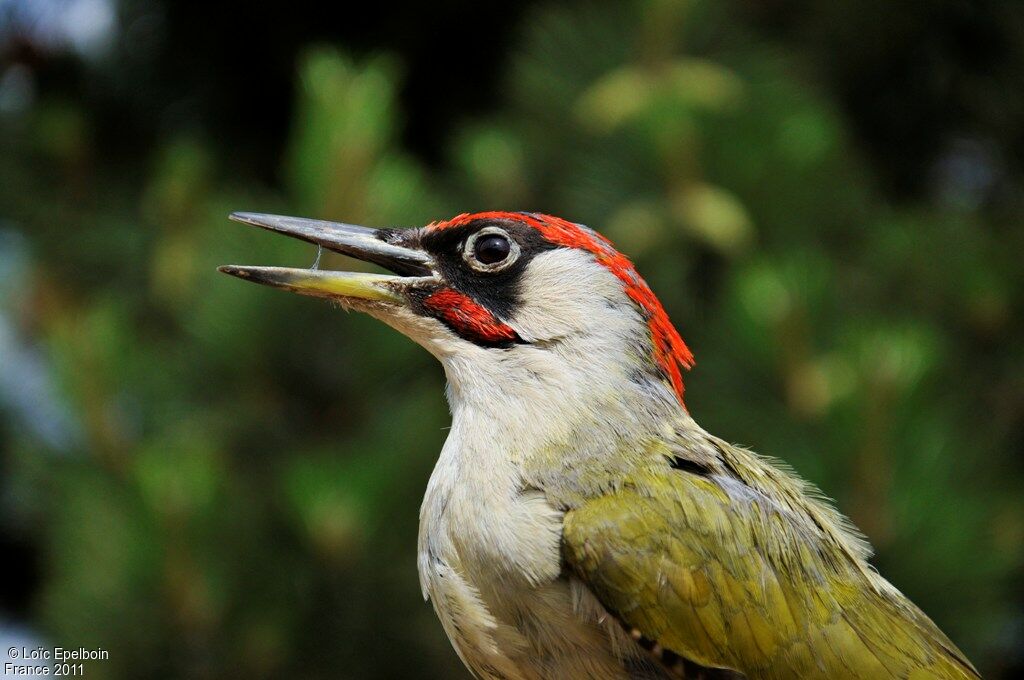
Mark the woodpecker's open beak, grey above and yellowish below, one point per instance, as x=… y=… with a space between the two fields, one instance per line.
x=360 y=242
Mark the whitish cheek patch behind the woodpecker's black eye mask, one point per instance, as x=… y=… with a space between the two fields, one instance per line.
x=566 y=293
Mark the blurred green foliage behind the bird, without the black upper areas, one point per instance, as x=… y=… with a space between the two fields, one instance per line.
x=235 y=492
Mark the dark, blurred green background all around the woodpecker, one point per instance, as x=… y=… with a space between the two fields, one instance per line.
x=215 y=480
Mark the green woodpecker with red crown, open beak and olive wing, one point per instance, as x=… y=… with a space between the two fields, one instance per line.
x=579 y=524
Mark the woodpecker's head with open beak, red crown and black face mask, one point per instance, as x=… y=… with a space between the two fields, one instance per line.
x=510 y=303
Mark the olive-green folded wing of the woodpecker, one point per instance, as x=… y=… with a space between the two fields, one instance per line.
x=730 y=577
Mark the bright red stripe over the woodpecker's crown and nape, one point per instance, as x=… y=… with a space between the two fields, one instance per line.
x=671 y=353
